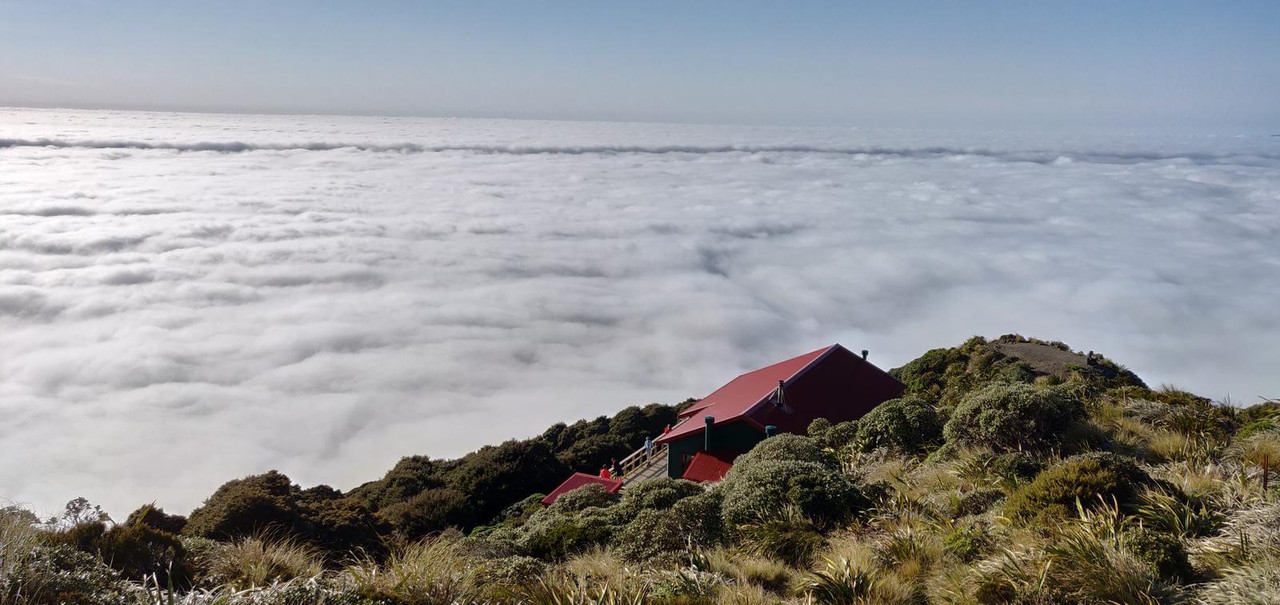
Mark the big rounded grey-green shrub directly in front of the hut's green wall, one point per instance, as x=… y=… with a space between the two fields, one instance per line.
x=789 y=470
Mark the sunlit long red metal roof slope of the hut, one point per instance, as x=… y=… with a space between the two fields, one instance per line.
x=735 y=400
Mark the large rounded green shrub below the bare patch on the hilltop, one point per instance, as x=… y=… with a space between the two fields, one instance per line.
x=1014 y=418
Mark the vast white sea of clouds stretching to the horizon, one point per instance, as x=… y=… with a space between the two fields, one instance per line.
x=190 y=299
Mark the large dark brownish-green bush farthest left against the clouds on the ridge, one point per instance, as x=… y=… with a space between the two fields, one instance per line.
x=246 y=507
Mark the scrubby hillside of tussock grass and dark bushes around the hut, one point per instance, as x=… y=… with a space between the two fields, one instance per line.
x=1011 y=471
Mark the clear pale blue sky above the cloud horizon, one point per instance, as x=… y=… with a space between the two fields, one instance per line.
x=1168 y=65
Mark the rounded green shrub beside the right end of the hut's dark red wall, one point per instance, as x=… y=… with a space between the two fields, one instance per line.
x=908 y=425
